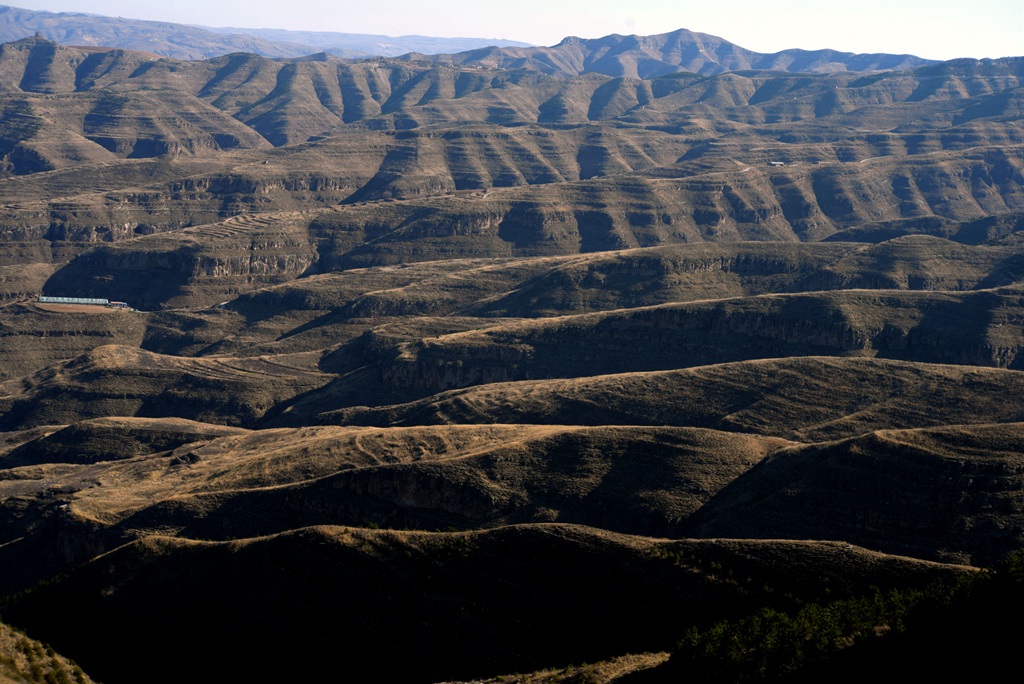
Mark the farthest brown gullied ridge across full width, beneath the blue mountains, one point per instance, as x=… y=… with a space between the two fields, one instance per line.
x=293 y=101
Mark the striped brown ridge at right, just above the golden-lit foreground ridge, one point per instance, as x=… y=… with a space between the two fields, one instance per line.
x=798 y=399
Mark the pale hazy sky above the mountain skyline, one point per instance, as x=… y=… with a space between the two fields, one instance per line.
x=934 y=29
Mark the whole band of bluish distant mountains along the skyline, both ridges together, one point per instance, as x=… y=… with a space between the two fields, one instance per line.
x=616 y=56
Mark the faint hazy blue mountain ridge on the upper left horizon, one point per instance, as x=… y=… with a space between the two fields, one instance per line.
x=183 y=41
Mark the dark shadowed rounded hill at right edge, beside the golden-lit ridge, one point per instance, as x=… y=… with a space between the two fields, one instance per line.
x=950 y=493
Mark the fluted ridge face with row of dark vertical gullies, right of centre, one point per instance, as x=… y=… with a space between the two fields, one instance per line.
x=723 y=204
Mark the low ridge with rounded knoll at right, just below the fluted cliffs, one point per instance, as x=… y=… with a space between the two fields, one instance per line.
x=544 y=287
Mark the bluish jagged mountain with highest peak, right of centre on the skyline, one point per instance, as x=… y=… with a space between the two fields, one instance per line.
x=682 y=51
